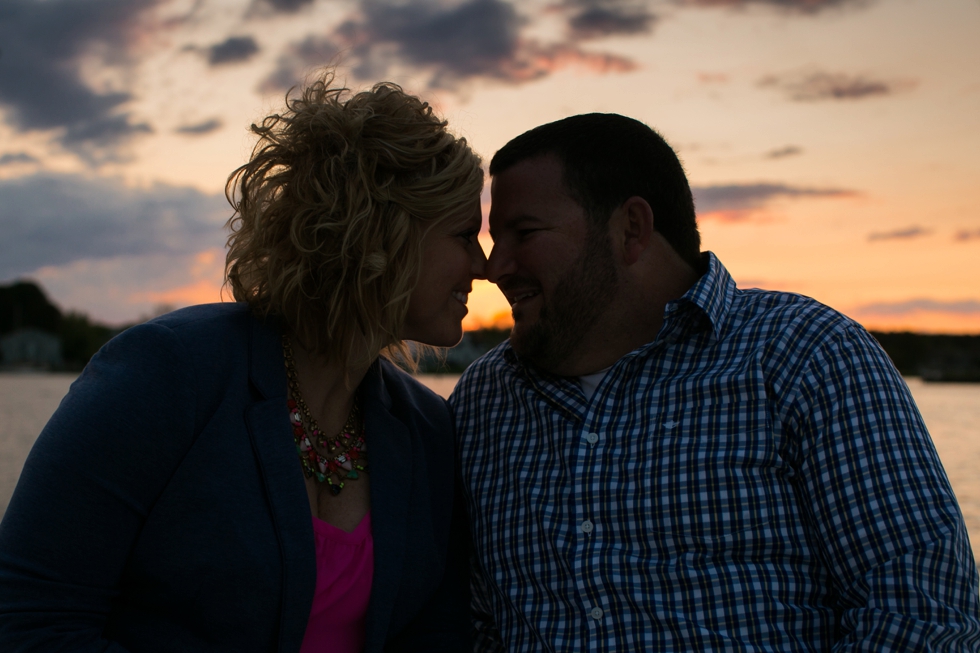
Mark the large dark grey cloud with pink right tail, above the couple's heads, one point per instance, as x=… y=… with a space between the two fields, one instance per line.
x=450 y=43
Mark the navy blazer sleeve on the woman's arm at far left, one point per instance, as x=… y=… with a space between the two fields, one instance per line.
x=87 y=486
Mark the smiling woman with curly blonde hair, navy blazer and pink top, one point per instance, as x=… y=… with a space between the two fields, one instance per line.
x=258 y=476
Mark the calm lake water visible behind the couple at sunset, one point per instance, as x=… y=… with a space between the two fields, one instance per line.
x=951 y=411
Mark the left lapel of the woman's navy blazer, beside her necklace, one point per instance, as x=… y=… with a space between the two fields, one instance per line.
x=271 y=438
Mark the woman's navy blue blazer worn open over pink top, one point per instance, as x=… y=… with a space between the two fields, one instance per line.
x=163 y=507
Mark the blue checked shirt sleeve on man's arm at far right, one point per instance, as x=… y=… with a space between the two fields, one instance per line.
x=880 y=508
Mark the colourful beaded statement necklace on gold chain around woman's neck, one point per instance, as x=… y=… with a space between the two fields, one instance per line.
x=345 y=452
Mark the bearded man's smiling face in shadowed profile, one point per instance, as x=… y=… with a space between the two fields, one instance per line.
x=557 y=273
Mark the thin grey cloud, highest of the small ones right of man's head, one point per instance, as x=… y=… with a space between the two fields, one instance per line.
x=813 y=86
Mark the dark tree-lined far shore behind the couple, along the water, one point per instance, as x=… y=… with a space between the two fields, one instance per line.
x=24 y=305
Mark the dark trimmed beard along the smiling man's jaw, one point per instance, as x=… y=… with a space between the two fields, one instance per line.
x=577 y=302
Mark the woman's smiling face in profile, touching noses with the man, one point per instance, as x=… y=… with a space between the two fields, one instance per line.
x=451 y=259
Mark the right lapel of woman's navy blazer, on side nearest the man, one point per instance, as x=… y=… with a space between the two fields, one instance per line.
x=390 y=459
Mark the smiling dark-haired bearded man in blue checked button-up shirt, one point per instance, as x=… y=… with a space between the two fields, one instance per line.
x=659 y=461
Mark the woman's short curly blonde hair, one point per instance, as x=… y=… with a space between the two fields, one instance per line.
x=331 y=210
